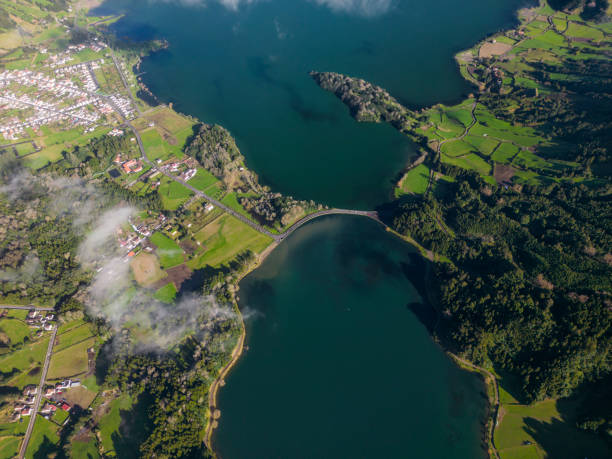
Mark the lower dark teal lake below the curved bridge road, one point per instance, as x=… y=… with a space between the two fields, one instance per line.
x=337 y=365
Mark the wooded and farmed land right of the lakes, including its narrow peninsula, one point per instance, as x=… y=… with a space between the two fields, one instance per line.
x=507 y=178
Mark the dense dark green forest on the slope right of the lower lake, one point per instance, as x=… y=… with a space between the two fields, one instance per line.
x=529 y=281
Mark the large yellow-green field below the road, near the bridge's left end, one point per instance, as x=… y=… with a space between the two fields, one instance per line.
x=224 y=238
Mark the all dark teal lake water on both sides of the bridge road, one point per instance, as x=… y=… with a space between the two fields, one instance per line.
x=338 y=365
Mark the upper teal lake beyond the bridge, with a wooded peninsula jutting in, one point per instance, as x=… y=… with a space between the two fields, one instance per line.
x=245 y=65
